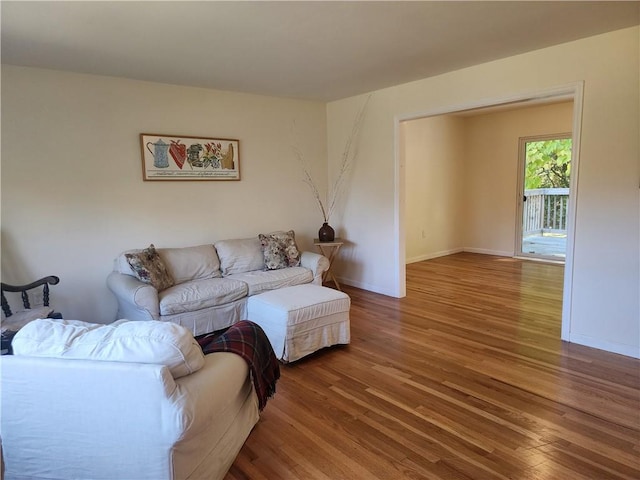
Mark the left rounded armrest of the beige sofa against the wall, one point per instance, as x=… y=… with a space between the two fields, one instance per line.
x=136 y=300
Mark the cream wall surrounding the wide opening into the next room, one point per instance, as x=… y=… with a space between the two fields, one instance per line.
x=605 y=311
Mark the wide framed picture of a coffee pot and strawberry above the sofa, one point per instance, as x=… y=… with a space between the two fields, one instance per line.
x=183 y=157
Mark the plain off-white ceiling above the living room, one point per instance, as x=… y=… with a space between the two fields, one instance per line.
x=313 y=50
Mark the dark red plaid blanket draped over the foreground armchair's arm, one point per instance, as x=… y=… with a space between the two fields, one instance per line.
x=248 y=340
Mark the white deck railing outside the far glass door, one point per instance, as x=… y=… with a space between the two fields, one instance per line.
x=545 y=211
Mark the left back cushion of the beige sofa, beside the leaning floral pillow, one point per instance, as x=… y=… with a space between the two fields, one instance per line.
x=191 y=263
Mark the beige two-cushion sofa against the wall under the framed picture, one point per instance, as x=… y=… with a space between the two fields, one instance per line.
x=211 y=283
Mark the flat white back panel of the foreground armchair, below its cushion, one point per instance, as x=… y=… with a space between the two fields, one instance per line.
x=54 y=408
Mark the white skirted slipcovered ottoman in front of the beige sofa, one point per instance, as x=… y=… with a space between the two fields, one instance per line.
x=301 y=319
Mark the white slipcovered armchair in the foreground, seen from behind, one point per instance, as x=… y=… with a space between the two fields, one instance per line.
x=130 y=400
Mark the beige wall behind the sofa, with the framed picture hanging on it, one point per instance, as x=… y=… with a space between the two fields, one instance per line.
x=72 y=189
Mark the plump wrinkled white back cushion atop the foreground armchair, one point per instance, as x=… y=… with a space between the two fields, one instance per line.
x=151 y=341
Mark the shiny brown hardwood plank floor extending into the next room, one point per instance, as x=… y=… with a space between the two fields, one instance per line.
x=465 y=378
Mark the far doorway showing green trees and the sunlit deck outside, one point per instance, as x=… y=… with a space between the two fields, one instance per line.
x=543 y=197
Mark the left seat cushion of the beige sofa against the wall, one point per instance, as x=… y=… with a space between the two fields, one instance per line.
x=199 y=294
